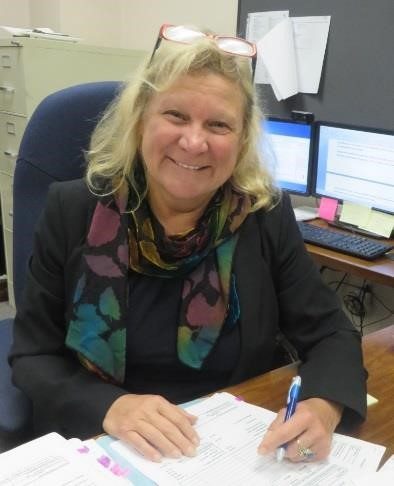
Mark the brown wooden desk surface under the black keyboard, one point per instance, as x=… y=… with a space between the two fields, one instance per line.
x=379 y=271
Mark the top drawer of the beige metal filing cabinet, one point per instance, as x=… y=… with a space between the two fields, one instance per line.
x=12 y=86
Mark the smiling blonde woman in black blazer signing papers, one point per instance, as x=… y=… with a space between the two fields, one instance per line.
x=169 y=271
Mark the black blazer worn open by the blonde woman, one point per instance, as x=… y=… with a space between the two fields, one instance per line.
x=279 y=288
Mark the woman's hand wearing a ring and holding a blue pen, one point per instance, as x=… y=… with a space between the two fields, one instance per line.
x=308 y=431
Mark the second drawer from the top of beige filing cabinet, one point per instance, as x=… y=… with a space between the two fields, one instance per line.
x=11 y=132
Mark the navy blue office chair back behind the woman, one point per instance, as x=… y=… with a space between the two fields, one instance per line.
x=52 y=149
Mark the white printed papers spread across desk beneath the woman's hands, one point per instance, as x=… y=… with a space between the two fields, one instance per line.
x=230 y=431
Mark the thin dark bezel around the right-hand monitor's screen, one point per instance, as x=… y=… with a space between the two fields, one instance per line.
x=350 y=126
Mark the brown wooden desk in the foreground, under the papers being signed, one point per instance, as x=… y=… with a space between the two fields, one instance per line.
x=270 y=390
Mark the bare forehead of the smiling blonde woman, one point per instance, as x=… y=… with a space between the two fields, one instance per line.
x=211 y=90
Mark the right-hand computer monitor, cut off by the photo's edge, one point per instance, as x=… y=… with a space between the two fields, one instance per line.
x=355 y=164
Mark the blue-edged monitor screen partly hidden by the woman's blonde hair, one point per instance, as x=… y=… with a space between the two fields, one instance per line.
x=287 y=145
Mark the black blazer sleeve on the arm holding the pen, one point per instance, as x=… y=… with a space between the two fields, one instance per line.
x=312 y=319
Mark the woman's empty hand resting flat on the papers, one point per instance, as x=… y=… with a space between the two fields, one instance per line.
x=152 y=425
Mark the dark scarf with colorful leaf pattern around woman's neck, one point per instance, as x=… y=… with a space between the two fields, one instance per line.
x=119 y=240
